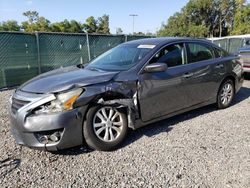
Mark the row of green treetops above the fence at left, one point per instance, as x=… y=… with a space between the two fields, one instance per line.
x=38 y=23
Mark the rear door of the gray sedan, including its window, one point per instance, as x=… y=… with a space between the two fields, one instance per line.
x=204 y=71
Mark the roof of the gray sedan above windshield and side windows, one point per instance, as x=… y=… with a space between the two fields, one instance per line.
x=164 y=40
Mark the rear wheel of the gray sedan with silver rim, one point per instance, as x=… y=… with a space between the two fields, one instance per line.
x=226 y=94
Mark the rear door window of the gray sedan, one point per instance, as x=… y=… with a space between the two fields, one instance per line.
x=199 y=52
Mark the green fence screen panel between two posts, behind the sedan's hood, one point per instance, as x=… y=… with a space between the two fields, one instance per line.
x=57 y=50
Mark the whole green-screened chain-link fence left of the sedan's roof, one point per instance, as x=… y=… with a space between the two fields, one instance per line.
x=24 y=56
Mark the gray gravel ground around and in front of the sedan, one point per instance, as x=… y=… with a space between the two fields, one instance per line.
x=202 y=148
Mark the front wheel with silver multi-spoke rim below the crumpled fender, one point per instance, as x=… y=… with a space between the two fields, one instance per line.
x=105 y=127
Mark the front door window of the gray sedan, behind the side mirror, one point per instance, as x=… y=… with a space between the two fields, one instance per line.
x=172 y=55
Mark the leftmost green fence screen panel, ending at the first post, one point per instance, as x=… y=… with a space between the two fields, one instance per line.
x=18 y=58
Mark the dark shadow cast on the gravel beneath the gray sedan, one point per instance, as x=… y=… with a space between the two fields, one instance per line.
x=162 y=126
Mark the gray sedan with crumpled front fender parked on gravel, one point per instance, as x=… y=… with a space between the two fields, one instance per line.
x=129 y=86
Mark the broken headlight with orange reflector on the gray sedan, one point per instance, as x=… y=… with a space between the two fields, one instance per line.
x=63 y=102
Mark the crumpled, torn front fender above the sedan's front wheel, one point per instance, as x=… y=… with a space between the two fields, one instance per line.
x=116 y=94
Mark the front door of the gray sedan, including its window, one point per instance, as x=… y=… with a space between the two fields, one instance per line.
x=161 y=93
